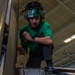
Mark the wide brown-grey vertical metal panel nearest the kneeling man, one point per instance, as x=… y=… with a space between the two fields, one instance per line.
x=12 y=41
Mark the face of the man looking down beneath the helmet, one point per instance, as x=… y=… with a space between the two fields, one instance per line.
x=34 y=22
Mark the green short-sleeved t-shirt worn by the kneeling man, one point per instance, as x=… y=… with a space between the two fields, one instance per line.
x=43 y=30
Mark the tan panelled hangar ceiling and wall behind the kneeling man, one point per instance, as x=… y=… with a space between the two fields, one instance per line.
x=61 y=15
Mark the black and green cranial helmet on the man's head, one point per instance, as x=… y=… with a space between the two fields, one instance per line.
x=34 y=9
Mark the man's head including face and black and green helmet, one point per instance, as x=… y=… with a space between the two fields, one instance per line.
x=34 y=13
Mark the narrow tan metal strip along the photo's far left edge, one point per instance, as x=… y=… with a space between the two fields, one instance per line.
x=3 y=6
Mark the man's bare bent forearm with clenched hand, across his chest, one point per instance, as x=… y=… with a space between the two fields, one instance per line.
x=43 y=40
